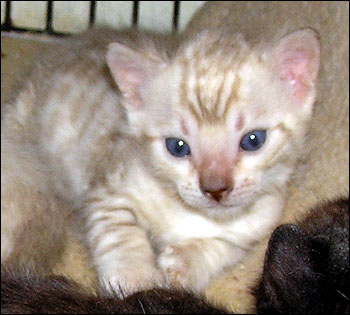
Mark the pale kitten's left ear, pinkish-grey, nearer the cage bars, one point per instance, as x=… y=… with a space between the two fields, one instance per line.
x=130 y=70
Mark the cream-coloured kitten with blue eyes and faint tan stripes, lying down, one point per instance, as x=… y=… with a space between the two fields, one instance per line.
x=180 y=165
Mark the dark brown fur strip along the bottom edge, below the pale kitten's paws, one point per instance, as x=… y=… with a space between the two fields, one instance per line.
x=58 y=295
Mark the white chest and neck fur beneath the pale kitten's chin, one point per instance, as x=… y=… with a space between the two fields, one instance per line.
x=170 y=221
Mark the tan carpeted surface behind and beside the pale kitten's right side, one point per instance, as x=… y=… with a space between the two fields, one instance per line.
x=324 y=175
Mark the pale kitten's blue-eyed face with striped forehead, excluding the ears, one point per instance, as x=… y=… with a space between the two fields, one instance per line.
x=220 y=151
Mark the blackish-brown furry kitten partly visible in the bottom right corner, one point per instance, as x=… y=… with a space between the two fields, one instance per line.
x=306 y=269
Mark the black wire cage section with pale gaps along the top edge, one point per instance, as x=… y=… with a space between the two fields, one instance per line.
x=64 y=17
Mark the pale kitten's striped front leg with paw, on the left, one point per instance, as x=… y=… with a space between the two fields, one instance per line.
x=121 y=251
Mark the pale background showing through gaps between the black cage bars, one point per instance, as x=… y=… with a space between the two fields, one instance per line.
x=73 y=16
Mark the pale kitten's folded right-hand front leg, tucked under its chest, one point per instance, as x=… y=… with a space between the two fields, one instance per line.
x=192 y=263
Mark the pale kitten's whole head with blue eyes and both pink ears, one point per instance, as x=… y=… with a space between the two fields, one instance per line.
x=224 y=122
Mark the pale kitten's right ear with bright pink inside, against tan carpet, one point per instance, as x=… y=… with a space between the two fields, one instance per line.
x=295 y=59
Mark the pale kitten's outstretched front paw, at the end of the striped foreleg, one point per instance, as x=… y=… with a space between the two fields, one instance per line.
x=127 y=282
